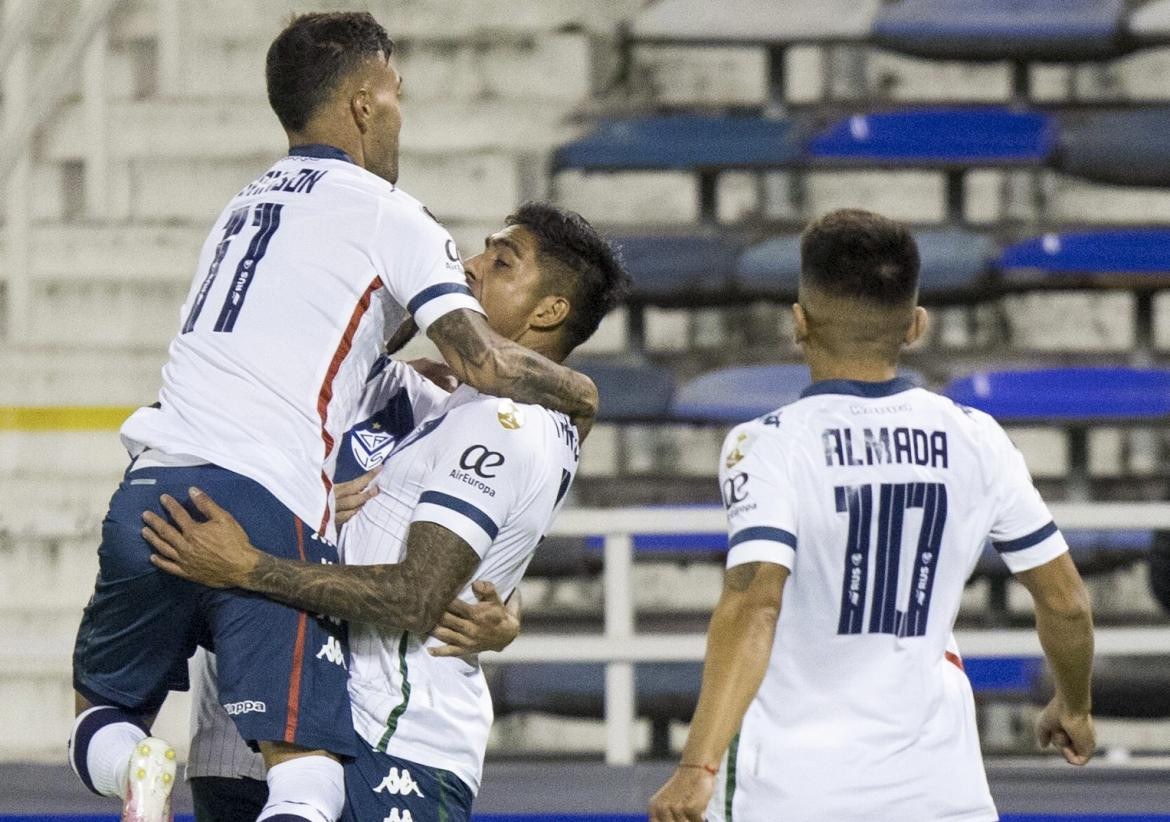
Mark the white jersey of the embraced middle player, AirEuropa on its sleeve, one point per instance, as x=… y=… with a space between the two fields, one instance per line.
x=495 y=473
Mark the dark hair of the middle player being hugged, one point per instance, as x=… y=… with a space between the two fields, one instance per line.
x=583 y=264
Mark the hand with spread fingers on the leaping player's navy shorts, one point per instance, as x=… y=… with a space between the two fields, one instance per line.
x=216 y=552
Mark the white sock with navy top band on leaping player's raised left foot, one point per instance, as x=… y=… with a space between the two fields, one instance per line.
x=100 y=749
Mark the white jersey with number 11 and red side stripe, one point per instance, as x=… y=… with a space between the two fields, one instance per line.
x=305 y=274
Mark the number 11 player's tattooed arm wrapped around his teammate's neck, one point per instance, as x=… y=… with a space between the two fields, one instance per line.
x=497 y=365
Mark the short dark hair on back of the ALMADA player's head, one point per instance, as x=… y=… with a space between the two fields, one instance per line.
x=861 y=255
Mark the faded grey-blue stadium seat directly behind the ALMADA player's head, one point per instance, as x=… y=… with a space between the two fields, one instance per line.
x=953 y=261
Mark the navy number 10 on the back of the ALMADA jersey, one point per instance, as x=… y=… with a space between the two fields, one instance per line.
x=894 y=500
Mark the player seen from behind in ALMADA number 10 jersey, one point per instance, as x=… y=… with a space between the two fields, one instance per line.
x=863 y=509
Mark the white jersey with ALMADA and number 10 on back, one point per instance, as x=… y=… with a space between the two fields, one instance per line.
x=879 y=498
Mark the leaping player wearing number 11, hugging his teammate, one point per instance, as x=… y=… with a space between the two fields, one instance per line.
x=304 y=275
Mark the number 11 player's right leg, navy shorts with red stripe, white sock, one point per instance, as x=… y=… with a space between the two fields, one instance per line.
x=283 y=673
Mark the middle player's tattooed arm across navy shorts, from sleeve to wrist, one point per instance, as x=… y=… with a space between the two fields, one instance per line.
x=410 y=596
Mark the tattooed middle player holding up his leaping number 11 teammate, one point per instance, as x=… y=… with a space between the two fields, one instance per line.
x=467 y=495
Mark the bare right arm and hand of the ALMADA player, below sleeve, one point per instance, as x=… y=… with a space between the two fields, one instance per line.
x=1064 y=620
